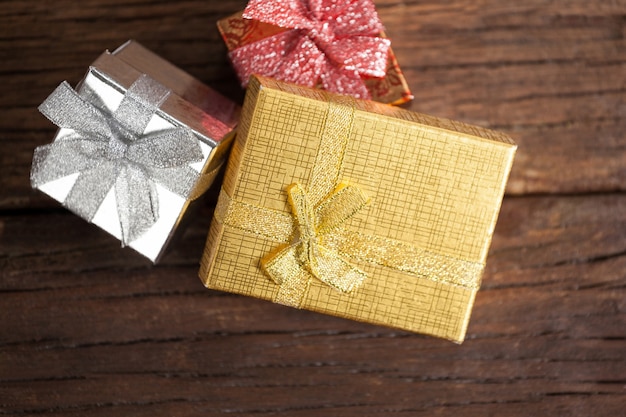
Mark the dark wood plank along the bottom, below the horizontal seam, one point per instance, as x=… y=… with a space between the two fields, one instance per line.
x=90 y=333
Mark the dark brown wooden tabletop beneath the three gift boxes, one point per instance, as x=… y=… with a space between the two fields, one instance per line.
x=90 y=329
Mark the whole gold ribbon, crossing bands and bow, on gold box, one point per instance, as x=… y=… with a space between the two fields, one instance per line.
x=314 y=243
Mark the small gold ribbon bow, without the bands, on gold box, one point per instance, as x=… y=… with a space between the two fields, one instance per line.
x=293 y=266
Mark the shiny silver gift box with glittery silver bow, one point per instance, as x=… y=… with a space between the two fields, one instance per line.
x=178 y=107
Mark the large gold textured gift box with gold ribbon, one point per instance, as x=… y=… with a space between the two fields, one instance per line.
x=357 y=209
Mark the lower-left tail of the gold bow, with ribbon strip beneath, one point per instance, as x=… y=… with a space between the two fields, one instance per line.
x=284 y=269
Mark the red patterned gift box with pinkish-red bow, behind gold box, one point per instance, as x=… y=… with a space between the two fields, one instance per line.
x=303 y=49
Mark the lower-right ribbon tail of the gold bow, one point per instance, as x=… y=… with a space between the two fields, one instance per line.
x=332 y=269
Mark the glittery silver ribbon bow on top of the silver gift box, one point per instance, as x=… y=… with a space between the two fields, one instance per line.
x=111 y=150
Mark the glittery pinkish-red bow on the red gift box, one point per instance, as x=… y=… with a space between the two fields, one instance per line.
x=335 y=41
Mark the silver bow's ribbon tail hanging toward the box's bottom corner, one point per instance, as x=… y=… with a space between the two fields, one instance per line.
x=137 y=203
